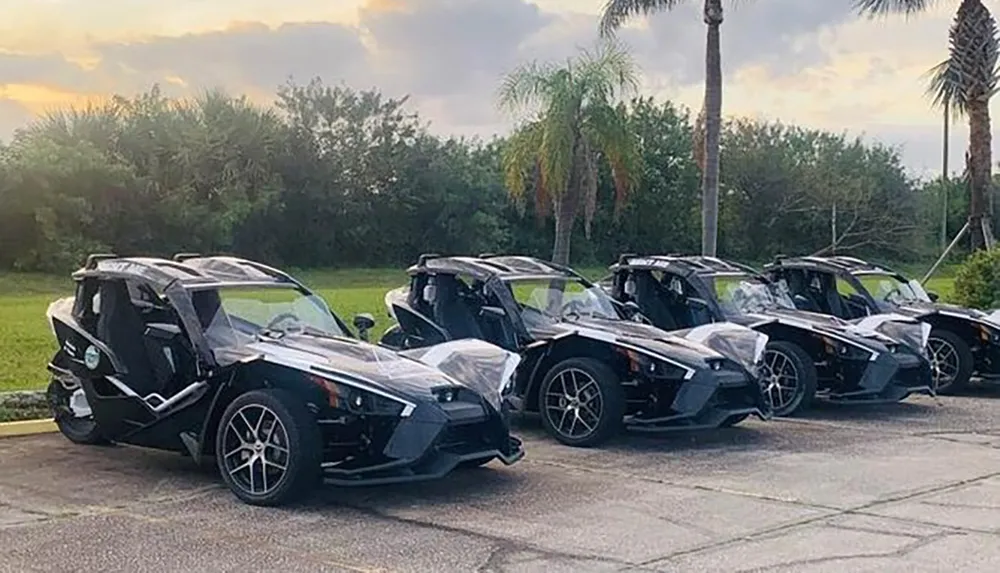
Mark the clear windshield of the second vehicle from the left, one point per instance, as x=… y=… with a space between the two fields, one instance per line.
x=553 y=299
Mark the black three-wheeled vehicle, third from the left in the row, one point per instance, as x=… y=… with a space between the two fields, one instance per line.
x=808 y=354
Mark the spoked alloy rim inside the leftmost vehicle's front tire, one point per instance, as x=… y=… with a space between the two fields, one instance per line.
x=256 y=449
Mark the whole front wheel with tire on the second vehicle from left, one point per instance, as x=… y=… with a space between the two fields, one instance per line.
x=582 y=402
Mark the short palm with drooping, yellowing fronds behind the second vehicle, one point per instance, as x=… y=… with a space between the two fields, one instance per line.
x=580 y=122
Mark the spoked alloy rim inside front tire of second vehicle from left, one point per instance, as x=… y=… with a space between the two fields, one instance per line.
x=574 y=404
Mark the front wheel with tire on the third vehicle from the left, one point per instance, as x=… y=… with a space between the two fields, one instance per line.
x=789 y=377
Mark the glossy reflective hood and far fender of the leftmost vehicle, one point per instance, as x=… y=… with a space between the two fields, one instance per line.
x=475 y=364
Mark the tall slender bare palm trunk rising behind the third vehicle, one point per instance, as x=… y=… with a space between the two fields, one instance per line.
x=713 y=125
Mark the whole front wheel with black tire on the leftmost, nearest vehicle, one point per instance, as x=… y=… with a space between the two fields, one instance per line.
x=302 y=444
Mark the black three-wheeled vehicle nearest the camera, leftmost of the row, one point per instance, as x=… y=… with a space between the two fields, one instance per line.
x=232 y=359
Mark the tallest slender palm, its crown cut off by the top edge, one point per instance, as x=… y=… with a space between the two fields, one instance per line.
x=616 y=13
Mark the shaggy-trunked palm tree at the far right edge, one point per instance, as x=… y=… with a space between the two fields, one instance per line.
x=964 y=82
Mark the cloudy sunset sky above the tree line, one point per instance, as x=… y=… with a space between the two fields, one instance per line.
x=811 y=63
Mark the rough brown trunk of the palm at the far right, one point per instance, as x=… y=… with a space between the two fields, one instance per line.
x=980 y=161
